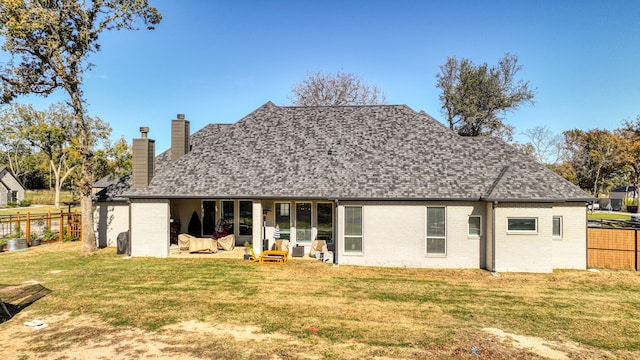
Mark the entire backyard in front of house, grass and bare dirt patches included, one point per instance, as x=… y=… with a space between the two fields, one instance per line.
x=131 y=308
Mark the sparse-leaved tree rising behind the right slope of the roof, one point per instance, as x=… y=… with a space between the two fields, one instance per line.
x=475 y=96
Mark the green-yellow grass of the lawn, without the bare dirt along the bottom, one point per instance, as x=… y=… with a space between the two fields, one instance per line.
x=391 y=312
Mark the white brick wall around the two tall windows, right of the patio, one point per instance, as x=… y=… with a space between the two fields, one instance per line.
x=394 y=234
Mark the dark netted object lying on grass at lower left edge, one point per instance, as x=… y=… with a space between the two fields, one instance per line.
x=16 y=298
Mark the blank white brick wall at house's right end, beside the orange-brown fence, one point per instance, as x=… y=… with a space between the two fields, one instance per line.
x=570 y=251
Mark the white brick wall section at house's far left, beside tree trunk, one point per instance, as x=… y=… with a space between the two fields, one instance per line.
x=110 y=220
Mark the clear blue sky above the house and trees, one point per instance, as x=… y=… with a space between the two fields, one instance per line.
x=217 y=61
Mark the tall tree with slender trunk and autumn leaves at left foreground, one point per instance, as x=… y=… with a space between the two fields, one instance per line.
x=49 y=42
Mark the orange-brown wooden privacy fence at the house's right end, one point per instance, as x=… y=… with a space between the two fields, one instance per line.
x=613 y=248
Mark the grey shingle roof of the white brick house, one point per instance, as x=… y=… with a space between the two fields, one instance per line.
x=376 y=152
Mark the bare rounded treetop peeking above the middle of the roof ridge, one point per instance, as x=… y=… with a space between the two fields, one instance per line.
x=320 y=89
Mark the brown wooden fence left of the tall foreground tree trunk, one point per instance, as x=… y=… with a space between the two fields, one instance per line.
x=50 y=226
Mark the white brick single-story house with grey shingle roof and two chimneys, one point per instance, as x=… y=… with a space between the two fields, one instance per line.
x=384 y=185
